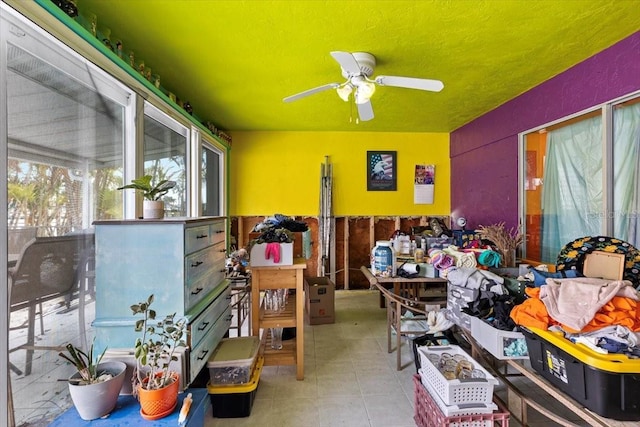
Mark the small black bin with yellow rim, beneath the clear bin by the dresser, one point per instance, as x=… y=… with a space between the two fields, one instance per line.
x=235 y=401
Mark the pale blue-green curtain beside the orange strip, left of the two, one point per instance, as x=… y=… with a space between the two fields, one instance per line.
x=572 y=186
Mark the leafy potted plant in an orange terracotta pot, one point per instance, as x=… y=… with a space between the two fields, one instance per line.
x=155 y=384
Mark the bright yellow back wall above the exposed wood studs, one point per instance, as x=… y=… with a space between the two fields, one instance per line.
x=279 y=172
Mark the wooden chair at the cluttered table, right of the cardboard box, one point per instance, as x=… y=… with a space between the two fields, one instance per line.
x=398 y=320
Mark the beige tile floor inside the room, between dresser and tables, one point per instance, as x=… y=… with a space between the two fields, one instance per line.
x=350 y=379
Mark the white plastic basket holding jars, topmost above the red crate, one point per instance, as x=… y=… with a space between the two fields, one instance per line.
x=454 y=392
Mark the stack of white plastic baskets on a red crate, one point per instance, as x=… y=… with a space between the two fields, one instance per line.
x=454 y=402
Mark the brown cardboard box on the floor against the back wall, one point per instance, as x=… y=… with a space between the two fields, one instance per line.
x=319 y=294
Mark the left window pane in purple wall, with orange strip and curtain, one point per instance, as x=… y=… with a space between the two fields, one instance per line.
x=563 y=185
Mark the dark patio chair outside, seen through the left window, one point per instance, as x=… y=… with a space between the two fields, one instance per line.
x=48 y=268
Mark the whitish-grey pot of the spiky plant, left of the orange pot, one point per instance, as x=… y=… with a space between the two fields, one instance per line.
x=94 y=401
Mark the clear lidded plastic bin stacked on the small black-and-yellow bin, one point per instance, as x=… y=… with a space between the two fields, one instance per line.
x=233 y=361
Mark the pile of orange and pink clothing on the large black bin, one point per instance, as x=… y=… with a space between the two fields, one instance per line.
x=600 y=313
